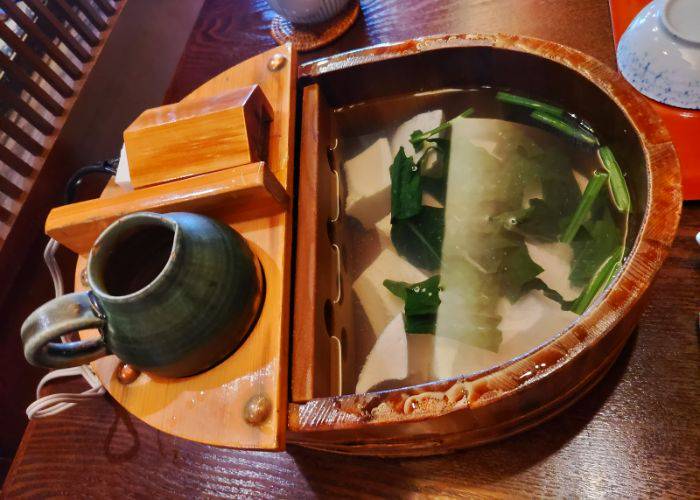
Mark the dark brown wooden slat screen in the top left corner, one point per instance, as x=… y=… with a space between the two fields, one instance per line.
x=47 y=48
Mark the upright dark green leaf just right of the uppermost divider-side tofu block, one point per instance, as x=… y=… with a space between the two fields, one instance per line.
x=406 y=192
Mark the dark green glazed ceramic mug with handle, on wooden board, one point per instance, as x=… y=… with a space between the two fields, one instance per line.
x=171 y=294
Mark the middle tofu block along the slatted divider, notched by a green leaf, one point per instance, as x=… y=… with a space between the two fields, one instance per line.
x=379 y=304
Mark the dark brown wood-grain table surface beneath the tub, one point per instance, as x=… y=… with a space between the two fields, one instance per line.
x=635 y=434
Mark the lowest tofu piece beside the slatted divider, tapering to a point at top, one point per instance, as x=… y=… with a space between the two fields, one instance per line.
x=388 y=359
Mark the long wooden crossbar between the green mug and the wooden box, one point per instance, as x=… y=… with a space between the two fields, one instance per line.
x=247 y=191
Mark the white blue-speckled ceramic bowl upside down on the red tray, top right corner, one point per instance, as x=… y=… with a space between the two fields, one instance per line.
x=659 y=54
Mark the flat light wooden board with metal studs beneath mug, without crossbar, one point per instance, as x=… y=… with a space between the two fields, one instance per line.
x=209 y=407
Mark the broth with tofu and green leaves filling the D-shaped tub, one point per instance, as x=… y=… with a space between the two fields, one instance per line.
x=478 y=224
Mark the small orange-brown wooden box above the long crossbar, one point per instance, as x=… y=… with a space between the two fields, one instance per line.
x=198 y=136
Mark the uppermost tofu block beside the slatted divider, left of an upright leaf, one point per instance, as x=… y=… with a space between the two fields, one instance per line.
x=369 y=183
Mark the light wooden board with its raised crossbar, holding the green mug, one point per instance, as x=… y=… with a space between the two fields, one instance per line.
x=210 y=407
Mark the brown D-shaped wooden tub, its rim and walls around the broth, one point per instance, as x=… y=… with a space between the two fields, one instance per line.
x=441 y=416
